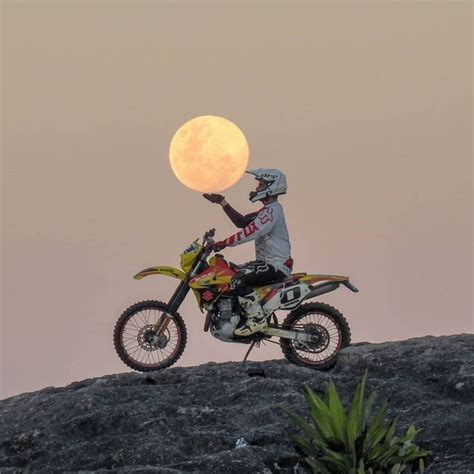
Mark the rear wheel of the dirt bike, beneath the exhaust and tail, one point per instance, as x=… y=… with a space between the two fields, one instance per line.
x=331 y=332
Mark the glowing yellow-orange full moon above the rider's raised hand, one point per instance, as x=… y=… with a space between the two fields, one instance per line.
x=209 y=154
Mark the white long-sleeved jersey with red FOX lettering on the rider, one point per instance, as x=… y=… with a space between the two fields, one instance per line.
x=268 y=229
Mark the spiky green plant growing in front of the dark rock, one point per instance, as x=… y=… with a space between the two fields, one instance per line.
x=356 y=441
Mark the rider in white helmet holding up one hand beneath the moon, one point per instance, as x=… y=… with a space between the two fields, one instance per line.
x=267 y=227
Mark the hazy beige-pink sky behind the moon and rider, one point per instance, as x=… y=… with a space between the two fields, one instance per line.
x=366 y=106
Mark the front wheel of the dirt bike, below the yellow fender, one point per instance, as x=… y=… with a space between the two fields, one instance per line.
x=137 y=342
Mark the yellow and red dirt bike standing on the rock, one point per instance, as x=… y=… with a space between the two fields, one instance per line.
x=151 y=335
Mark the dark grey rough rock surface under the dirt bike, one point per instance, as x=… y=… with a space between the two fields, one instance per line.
x=189 y=419
